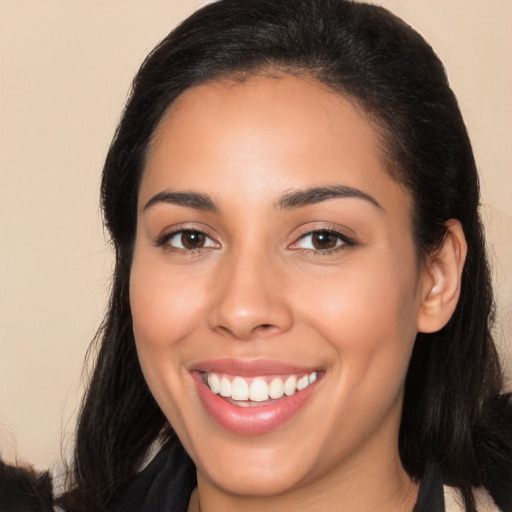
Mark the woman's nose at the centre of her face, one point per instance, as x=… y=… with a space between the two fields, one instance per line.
x=250 y=299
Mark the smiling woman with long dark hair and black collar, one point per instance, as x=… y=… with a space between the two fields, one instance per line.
x=301 y=306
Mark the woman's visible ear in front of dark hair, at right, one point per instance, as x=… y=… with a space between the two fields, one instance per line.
x=441 y=280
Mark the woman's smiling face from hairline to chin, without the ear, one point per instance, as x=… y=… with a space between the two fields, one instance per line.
x=274 y=259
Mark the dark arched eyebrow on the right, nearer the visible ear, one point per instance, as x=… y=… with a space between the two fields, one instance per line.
x=300 y=198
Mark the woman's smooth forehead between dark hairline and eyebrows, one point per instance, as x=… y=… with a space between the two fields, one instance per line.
x=264 y=134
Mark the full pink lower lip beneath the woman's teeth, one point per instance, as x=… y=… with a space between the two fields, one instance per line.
x=252 y=420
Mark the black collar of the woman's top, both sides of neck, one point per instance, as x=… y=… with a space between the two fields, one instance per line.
x=166 y=484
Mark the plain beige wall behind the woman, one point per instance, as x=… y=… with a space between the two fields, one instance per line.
x=65 y=68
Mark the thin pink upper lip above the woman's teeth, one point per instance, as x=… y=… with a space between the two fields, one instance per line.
x=250 y=368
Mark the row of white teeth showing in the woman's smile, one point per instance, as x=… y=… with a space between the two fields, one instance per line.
x=239 y=389
